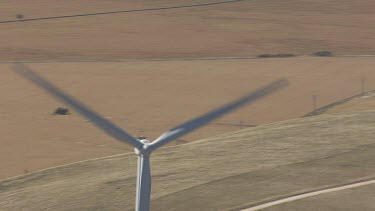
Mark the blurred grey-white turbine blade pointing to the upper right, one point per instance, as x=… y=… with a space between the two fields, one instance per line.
x=204 y=119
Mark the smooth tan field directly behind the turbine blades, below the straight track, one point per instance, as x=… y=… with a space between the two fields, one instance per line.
x=148 y=98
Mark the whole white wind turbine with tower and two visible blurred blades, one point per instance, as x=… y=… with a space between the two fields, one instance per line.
x=144 y=148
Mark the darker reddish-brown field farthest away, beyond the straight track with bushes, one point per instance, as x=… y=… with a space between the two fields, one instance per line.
x=245 y=28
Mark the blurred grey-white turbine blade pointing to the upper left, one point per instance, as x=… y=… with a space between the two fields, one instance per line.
x=102 y=123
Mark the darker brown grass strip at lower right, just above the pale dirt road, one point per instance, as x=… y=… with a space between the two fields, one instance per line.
x=258 y=187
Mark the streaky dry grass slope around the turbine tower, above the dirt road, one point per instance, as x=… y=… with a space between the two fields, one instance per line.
x=276 y=159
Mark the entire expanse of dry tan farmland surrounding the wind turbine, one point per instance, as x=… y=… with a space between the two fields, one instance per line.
x=148 y=71
